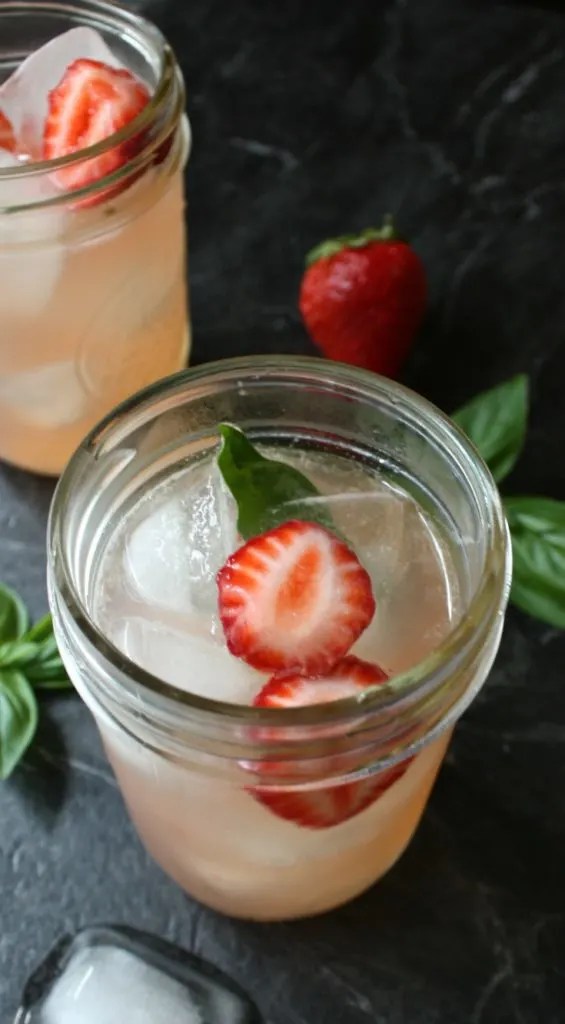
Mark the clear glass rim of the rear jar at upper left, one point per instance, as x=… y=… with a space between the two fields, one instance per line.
x=169 y=81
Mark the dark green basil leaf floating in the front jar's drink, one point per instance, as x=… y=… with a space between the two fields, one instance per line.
x=268 y=492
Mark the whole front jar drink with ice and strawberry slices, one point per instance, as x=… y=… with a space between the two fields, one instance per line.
x=273 y=813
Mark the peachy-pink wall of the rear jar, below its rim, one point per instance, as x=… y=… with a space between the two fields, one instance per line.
x=98 y=320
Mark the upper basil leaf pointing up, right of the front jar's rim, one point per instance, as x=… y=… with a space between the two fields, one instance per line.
x=496 y=422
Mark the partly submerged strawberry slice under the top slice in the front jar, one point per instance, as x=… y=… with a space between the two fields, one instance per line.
x=323 y=808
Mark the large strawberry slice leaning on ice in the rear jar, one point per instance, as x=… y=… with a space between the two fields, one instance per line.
x=92 y=103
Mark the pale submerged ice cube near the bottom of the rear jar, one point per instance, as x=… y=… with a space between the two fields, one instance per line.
x=49 y=397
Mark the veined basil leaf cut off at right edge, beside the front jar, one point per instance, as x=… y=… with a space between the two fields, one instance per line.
x=538 y=529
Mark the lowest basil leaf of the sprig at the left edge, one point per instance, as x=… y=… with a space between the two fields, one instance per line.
x=18 y=719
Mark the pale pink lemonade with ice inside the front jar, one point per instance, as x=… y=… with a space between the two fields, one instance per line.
x=157 y=602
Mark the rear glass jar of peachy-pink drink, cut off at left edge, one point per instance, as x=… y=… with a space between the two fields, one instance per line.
x=94 y=297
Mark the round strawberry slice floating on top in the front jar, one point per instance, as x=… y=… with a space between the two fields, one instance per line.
x=295 y=598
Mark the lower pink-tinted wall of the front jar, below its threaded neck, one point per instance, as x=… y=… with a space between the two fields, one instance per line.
x=228 y=850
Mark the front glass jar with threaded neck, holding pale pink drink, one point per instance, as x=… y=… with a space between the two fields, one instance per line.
x=184 y=762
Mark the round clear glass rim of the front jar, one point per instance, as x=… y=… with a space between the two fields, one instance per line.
x=487 y=605
